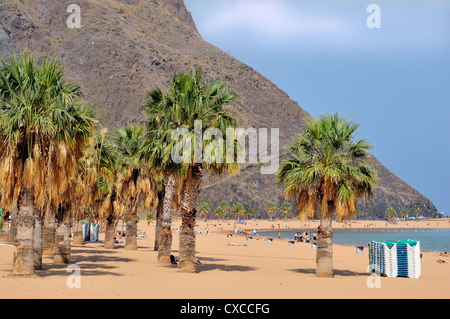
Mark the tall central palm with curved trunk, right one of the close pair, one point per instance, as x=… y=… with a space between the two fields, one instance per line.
x=206 y=104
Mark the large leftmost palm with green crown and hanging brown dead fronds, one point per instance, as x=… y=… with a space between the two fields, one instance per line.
x=44 y=127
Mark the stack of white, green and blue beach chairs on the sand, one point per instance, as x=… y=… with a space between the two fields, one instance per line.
x=395 y=259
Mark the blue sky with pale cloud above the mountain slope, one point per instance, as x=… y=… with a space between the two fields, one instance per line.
x=394 y=81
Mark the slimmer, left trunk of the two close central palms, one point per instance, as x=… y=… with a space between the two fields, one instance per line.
x=165 y=243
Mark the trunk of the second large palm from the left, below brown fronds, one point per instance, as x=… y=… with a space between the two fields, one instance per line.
x=62 y=249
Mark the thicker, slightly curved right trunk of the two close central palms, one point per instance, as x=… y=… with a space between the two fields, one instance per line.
x=187 y=258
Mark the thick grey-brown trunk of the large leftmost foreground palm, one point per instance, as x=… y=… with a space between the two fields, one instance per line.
x=23 y=262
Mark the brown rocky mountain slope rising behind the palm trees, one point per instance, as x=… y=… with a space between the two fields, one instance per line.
x=124 y=48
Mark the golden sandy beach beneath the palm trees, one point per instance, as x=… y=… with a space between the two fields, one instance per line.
x=254 y=271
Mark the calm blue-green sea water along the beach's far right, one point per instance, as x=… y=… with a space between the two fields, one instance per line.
x=431 y=240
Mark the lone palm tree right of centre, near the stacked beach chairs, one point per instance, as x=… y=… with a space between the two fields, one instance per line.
x=328 y=168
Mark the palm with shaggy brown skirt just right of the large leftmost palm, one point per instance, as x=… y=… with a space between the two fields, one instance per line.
x=68 y=201
